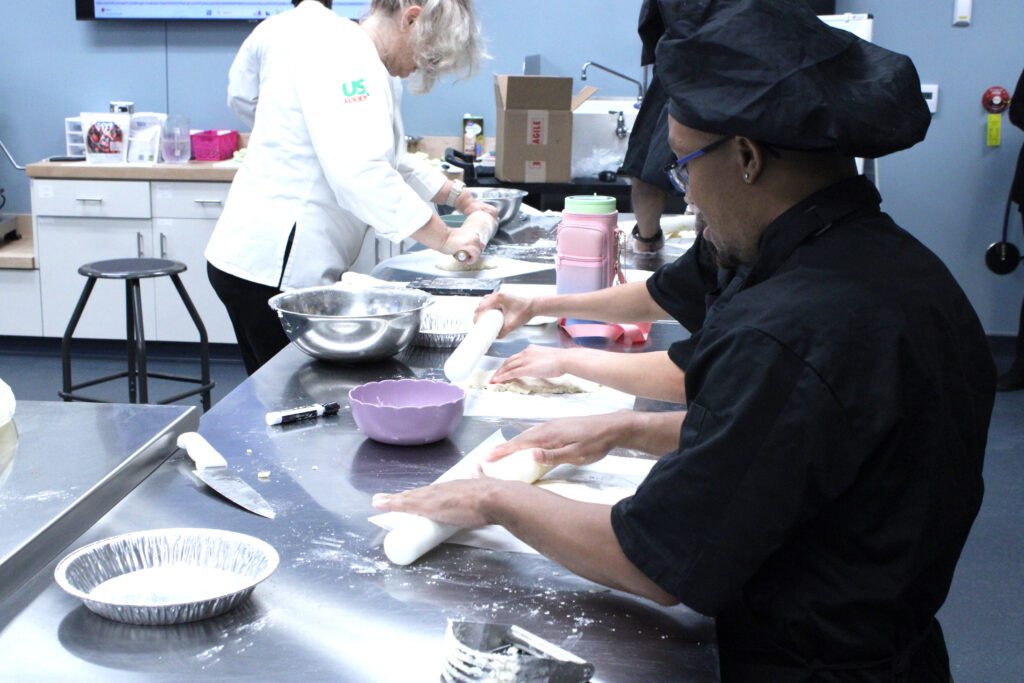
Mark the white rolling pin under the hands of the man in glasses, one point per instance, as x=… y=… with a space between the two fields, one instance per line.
x=416 y=536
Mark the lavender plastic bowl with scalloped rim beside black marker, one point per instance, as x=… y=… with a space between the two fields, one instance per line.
x=407 y=412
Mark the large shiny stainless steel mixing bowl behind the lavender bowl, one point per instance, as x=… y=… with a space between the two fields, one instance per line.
x=344 y=325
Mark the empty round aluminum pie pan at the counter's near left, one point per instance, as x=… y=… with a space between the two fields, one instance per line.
x=169 y=576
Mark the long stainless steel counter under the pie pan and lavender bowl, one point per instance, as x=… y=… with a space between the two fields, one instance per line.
x=336 y=610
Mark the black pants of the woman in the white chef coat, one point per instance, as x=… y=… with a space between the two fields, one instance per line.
x=257 y=326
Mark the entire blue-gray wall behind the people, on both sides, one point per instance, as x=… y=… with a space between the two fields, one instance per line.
x=950 y=191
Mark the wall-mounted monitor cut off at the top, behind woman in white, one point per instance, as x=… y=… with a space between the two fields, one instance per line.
x=166 y=11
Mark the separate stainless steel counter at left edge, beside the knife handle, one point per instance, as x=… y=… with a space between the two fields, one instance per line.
x=63 y=466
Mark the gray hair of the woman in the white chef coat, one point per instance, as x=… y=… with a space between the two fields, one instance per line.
x=448 y=38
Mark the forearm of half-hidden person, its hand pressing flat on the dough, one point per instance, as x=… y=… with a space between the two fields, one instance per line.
x=652 y=375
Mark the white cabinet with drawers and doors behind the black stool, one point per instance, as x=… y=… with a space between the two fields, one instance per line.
x=80 y=222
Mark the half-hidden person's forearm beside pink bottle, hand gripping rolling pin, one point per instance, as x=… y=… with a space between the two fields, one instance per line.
x=624 y=304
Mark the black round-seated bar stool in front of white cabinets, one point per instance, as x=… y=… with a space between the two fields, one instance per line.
x=132 y=271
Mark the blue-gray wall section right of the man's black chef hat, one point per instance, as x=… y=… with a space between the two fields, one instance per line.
x=951 y=191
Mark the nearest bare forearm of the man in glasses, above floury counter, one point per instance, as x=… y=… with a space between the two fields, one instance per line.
x=582 y=541
